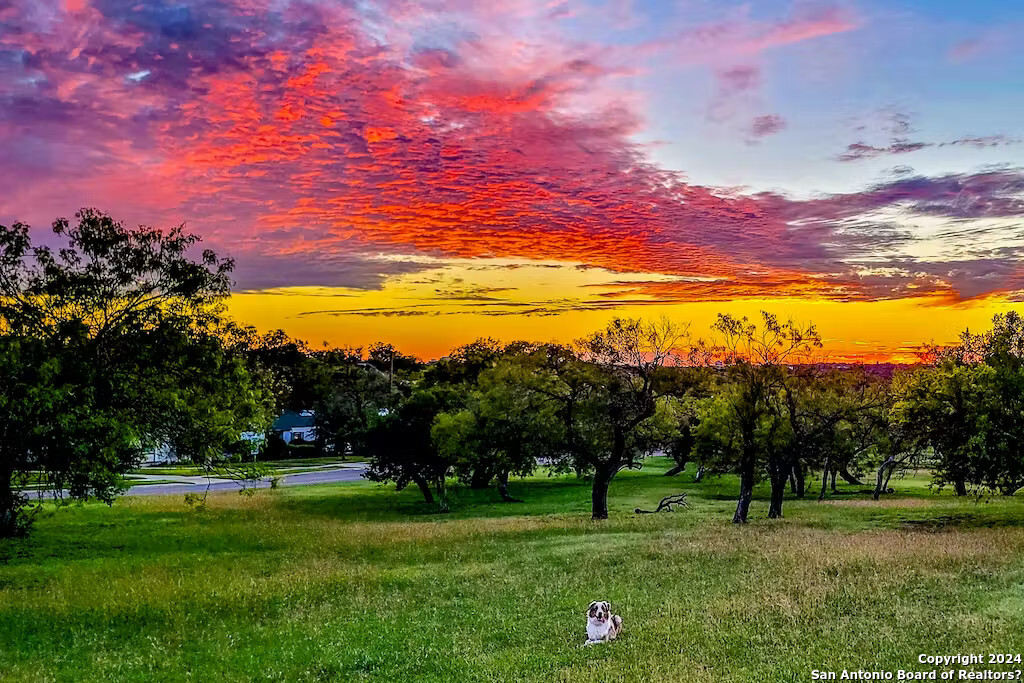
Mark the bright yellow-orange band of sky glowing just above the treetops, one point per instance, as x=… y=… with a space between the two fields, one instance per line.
x=430 y=313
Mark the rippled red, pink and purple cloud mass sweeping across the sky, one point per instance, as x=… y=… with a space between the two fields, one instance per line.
x=305 y=139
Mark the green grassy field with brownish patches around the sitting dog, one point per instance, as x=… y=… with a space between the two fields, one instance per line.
x=356 y=582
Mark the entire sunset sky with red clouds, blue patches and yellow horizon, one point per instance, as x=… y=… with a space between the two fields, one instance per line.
x=428 y=174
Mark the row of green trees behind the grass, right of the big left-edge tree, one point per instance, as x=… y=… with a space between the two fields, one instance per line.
x=750 y=400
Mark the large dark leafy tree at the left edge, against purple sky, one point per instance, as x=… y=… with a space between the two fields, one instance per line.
x=110 y=345
